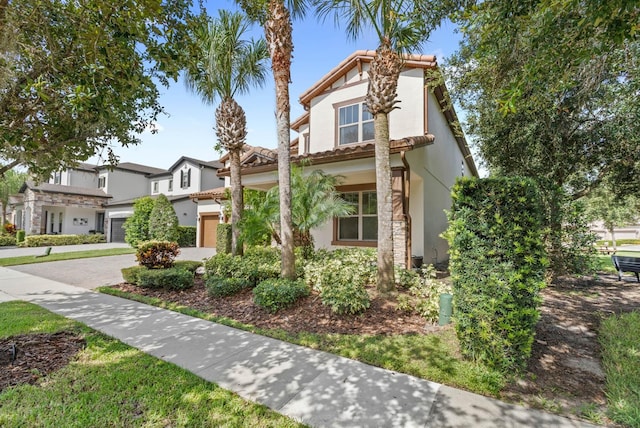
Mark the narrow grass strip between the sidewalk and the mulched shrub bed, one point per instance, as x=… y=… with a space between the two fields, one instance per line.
x=435 y=357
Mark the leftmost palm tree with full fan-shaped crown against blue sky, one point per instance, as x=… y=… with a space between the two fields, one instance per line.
x=227 y=65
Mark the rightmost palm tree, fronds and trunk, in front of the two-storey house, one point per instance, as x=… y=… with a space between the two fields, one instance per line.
x=400 y=26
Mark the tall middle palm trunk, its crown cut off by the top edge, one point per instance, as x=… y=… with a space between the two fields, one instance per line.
x=278 y=36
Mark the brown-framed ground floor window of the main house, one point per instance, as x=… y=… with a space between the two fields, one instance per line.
x=362 y=225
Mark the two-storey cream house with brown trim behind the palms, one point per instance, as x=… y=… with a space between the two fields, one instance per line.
x=428 y=152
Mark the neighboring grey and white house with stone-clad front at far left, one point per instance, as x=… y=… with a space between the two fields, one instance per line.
x=90 y=198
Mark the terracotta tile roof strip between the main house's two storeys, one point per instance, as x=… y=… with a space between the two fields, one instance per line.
x=339 y=154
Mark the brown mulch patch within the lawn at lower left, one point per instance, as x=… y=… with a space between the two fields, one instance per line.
x=28 y=357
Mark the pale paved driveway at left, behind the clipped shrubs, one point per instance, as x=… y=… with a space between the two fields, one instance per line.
x=94 y=272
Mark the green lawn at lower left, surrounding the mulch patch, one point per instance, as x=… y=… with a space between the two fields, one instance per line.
x=112 y=384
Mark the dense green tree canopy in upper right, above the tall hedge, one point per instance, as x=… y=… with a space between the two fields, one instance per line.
x=551 y=90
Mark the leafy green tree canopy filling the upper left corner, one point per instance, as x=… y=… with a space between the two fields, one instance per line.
x=77 y=77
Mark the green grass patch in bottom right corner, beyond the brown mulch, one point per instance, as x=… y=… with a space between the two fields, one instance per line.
x=621 y=362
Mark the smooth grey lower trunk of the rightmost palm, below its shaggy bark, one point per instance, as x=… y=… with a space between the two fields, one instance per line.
x=385 y=280
